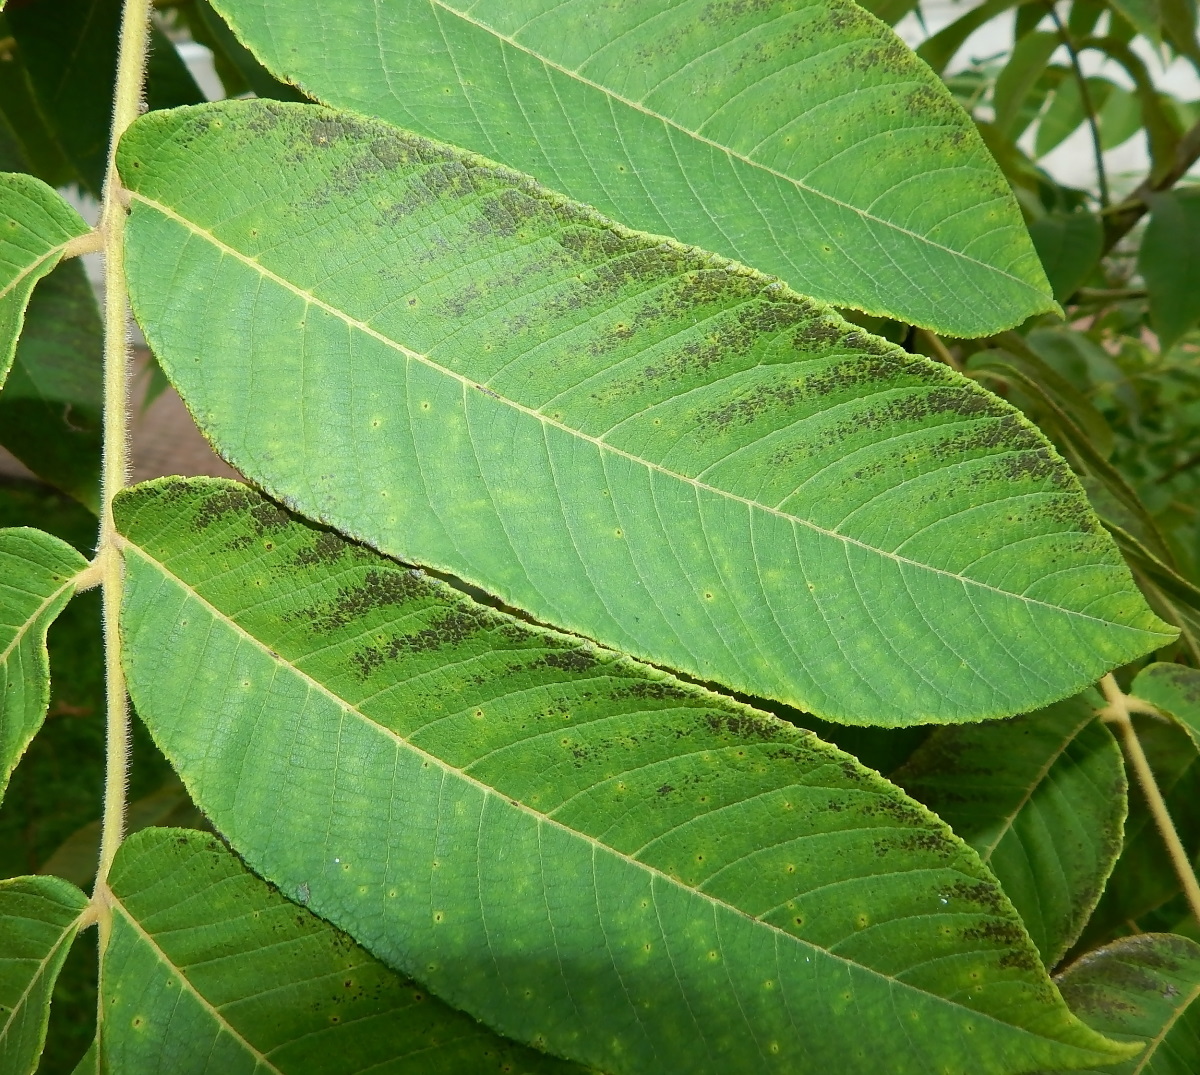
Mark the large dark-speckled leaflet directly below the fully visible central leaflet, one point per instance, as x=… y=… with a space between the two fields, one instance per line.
x=555 y=838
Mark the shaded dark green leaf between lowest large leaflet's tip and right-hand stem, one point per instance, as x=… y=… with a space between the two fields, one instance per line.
x=1042 y=798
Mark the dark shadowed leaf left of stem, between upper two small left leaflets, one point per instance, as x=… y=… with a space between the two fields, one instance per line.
x=51 y=407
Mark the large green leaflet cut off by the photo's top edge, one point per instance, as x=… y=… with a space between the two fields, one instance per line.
x=795 y=136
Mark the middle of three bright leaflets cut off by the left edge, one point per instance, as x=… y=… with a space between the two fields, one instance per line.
x=37 y=580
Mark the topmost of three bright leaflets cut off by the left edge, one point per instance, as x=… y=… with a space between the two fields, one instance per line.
x=35 y=226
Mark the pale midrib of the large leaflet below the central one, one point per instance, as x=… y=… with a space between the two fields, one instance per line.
x=542 y=819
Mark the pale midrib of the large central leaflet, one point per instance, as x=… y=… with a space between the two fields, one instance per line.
x=599 y=443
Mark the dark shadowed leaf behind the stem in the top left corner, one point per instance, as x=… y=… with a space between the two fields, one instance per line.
x=70 y=51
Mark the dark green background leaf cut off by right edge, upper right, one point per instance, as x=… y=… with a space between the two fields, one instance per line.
x=1169 y=262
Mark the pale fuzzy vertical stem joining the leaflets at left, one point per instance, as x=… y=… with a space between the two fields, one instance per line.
x=128 y=103
